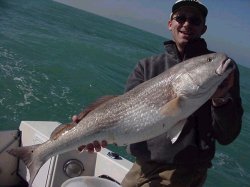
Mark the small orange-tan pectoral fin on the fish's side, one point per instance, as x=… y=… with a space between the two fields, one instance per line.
x=172 y=108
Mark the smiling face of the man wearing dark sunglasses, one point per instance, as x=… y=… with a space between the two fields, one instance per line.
x=186 y=24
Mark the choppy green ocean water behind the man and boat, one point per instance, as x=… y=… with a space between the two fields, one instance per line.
x=55 y=60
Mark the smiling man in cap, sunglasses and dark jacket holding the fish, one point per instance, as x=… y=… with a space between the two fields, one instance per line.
x=184 y=163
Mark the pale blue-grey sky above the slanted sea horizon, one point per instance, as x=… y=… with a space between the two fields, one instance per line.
x=228 y=21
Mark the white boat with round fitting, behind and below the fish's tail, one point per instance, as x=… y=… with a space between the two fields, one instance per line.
x=59 y=169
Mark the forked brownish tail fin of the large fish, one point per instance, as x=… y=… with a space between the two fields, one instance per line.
x=27 y=154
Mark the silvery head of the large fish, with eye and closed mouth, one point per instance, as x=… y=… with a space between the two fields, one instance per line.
x=203 y=74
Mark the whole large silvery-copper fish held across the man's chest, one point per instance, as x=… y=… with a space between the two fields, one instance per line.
x=154 y=107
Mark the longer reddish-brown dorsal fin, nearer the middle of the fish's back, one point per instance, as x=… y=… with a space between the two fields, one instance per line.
x=94 y=105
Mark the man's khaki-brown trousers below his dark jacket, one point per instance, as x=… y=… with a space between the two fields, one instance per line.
x=158 y=175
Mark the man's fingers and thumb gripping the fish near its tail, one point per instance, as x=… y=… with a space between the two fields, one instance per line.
x=91 y=147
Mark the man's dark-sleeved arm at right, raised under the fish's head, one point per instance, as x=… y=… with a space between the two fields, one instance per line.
x=227 y=111
